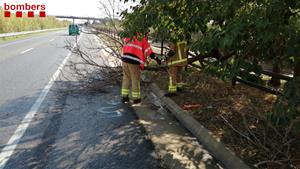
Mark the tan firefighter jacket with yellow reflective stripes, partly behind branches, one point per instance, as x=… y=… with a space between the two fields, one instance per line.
x=179 y=56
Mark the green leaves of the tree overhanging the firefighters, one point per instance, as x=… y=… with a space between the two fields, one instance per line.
x=257 y=30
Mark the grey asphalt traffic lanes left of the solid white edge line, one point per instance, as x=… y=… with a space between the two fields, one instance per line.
x=26 y=66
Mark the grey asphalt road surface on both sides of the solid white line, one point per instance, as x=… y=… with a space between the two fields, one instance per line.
x=73 y=128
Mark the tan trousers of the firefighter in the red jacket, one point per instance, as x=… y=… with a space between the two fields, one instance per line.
x=131 y=80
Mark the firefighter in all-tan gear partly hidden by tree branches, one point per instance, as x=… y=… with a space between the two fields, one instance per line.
x=176 y=60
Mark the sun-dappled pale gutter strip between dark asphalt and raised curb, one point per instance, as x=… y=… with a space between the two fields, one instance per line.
x=175 y=145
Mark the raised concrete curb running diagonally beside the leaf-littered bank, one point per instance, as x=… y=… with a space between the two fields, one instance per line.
x=217 y=149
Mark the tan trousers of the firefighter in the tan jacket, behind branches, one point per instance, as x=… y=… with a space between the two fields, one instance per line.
x=175 y=78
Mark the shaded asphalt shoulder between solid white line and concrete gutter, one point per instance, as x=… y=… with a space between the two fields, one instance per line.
x=81 y=128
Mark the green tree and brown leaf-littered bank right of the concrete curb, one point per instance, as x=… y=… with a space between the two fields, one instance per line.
x=229 y=39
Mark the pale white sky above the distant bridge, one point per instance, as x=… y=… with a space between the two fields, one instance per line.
x=87 y=8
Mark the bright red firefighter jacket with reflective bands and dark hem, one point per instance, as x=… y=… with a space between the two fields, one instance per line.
x=136 y=51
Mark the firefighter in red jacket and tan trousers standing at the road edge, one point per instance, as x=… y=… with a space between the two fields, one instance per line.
x=135 y=52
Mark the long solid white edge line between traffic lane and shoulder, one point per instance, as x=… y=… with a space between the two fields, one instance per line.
x=10 y=146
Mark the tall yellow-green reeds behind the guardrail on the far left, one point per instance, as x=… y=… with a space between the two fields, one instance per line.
x=13 y=24
